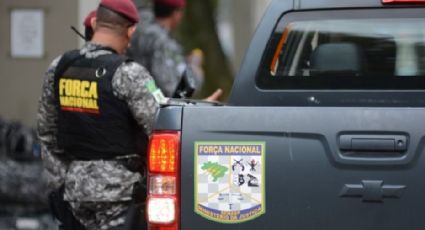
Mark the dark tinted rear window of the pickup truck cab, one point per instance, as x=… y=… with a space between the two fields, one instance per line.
x=347 y=49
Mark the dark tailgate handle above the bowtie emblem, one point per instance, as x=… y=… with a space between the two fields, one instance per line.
x=375 y=143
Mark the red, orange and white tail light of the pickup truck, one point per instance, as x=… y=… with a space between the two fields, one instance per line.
x=163 y=204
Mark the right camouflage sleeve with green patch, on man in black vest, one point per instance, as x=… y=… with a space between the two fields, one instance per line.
x=134 y=84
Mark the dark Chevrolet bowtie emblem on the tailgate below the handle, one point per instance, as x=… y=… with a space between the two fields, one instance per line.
x=372 y=190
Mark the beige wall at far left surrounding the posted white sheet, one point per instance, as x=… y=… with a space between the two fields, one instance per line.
x=21 y=78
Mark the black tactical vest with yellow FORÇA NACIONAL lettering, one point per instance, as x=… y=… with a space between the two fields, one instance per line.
x=93 y=123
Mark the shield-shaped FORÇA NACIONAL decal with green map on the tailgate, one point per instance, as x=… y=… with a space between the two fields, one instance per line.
x=230 y=181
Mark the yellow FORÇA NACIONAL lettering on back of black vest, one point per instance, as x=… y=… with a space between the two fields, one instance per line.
x=78 y=94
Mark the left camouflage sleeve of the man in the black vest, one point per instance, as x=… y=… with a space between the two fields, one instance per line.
x=53 y=159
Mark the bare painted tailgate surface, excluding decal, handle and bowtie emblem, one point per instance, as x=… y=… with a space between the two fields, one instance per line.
x=306 y=171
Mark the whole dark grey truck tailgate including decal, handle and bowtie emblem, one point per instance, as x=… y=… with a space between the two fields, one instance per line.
x=323 y=168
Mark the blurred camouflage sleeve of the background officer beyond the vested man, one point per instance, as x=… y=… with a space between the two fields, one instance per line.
x=167 y=66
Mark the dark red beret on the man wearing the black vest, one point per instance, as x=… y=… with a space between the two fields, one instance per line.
x=123 y=7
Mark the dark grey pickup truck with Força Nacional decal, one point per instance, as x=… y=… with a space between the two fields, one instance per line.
x=324 y=128
